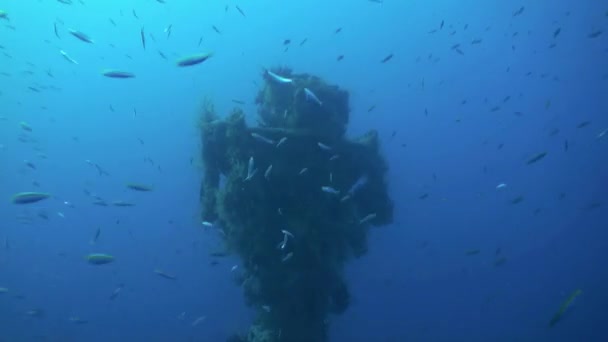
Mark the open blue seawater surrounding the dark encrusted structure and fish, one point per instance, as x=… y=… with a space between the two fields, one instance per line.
x=440 y=132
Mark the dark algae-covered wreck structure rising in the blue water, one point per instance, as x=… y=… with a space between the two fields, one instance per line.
x=296 y=202
